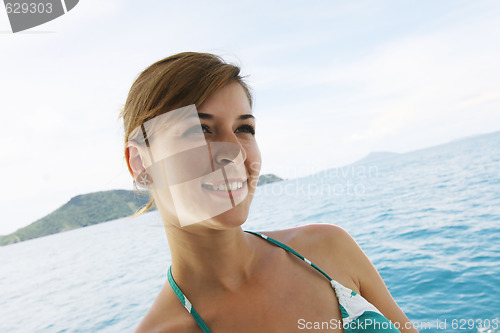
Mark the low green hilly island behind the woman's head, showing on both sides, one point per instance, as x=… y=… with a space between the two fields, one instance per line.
x=88 y=209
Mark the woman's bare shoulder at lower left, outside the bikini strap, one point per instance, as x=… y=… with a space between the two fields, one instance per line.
x=167 y=315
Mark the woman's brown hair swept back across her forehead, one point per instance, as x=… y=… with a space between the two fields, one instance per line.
x=179 y=80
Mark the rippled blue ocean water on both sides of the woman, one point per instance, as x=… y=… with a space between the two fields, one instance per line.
x=429 y=220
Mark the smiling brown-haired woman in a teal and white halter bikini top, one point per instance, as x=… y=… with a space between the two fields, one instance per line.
x=190 y=140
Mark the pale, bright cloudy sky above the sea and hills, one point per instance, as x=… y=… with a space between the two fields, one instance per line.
x=332 y=82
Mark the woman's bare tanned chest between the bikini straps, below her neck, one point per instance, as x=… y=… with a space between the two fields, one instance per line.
x=290 y=296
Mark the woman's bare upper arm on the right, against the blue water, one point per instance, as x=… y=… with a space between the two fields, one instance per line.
x=370 y=283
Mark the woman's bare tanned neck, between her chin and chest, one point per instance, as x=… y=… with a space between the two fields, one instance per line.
x=219 y=259
